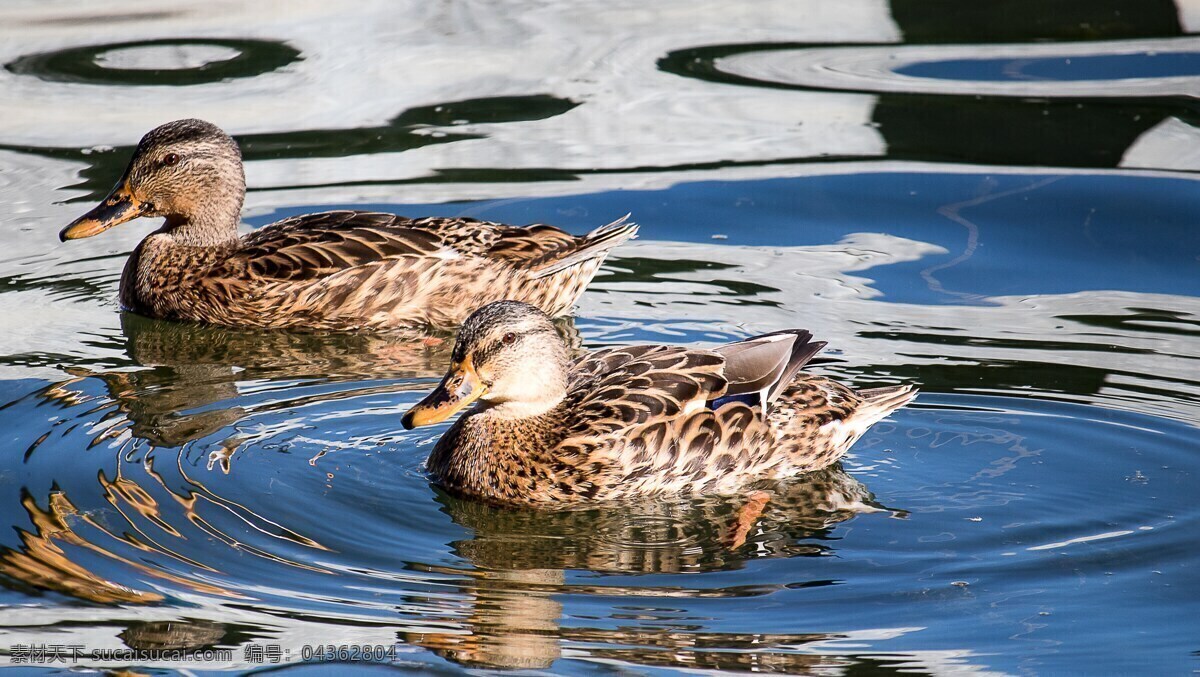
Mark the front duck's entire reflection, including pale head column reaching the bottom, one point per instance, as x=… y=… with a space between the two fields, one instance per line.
x=520 y=561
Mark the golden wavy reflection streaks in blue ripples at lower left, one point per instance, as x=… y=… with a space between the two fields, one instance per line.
x=142 y=534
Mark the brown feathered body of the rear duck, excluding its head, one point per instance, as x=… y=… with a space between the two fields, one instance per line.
x=355 y=271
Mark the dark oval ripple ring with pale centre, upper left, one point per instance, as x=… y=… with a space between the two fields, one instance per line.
x=169 y=62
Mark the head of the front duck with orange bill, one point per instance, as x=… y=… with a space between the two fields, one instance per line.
x=509 y=357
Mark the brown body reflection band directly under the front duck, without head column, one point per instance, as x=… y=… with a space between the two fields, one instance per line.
x=664 y=536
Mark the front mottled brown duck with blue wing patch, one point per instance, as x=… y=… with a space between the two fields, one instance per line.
x=549 y=430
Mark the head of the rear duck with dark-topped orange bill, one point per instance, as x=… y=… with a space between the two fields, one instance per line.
x=188 y=171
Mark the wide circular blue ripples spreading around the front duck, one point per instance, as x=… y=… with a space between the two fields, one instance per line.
x=963 y=489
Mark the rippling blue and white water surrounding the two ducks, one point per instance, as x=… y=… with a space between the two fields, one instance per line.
x=997 y=203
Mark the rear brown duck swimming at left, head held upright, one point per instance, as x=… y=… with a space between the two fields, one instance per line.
x=335 y=271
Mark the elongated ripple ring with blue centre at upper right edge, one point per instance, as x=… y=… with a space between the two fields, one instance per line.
x=1112 y=69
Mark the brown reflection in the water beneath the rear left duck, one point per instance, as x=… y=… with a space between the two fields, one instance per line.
x=189 y=369
